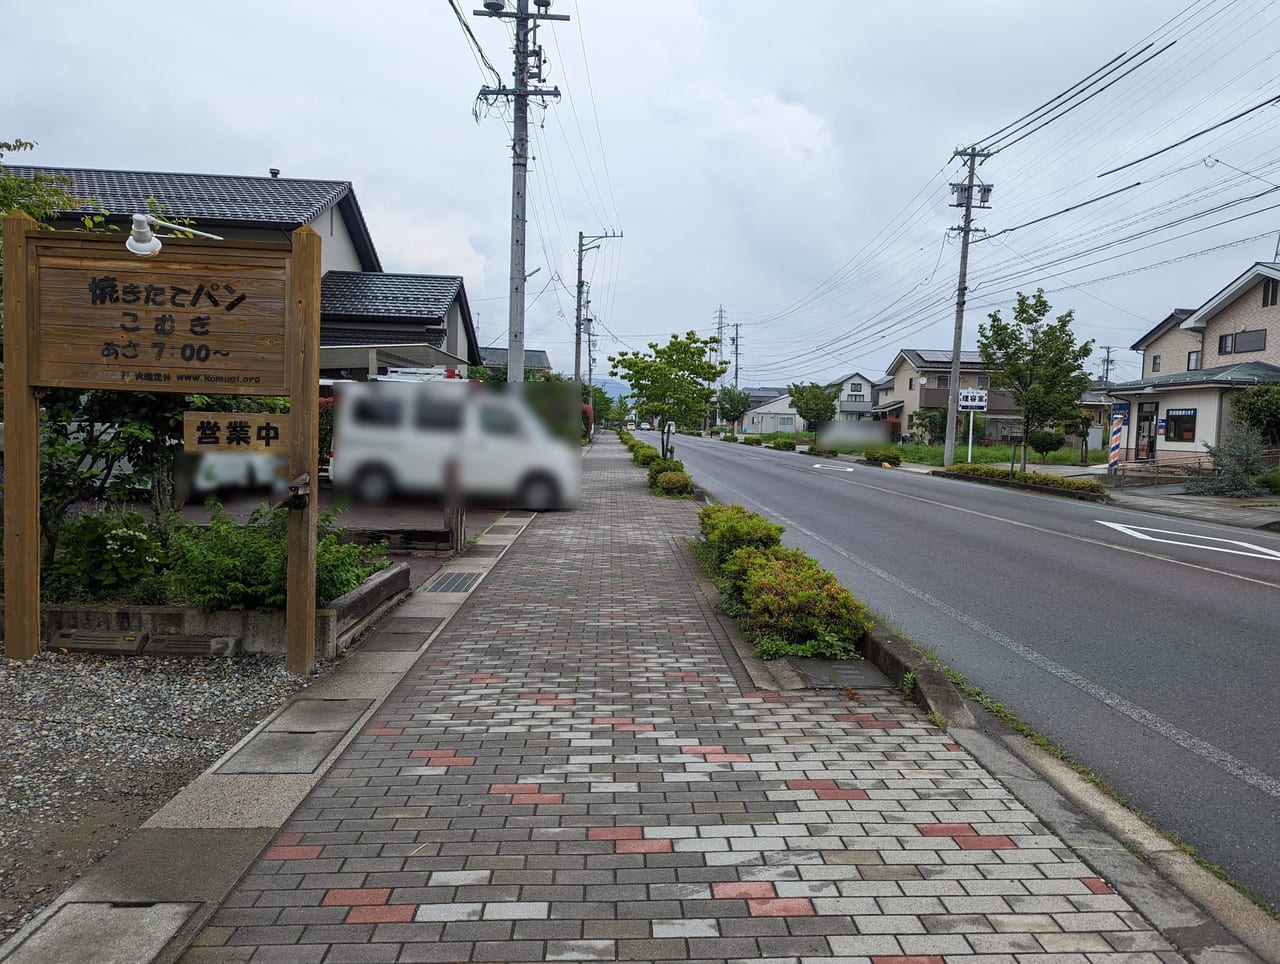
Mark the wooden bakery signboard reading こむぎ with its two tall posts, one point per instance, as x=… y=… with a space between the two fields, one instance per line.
x=203 y=318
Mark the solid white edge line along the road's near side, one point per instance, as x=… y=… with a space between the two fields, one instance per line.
x=1217 y=756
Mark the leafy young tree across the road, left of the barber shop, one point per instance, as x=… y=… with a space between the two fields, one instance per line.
x=1036 y=362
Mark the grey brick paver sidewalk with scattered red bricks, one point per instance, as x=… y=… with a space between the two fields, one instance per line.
x=579 y=770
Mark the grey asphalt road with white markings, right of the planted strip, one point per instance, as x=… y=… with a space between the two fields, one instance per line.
x=1148 y=647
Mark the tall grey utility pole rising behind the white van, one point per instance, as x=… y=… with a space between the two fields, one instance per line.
x=529 y=67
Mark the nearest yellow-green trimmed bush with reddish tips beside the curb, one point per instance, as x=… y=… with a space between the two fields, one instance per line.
x=796 y=604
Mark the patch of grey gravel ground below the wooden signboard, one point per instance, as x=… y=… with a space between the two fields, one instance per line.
x=93 y=746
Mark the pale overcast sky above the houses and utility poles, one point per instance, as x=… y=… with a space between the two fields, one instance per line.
x=788 y=162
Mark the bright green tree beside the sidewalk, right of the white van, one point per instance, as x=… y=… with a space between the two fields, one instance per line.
x=673 y=382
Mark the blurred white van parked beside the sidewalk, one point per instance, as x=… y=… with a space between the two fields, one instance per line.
x=401 y=437
